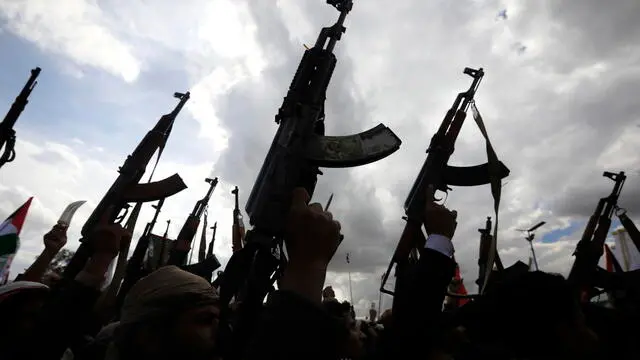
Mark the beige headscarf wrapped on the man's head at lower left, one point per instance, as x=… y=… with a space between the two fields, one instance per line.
x=167 y=290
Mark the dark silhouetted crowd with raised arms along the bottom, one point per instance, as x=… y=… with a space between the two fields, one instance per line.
x=174 y=314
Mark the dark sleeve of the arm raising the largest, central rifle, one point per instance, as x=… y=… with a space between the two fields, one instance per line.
x=291 y=327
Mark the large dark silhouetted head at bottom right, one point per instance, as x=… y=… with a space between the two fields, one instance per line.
x=535 y=308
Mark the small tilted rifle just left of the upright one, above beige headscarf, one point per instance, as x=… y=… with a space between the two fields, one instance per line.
x=180 y=250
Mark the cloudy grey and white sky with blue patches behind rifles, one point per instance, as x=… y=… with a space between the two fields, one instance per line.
x=559 y=101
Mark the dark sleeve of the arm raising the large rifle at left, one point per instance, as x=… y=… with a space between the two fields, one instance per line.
x=63 y=319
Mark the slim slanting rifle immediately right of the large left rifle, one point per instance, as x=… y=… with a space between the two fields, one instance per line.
x=135 y=267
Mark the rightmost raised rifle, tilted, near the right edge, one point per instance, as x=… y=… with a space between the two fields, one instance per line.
x=591 y=246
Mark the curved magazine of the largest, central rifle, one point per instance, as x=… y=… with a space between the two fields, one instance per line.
x=352 y=150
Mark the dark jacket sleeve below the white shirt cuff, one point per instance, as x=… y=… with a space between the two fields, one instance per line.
x=417 y=321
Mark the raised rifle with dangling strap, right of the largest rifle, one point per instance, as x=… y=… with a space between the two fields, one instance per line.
x=437 y=175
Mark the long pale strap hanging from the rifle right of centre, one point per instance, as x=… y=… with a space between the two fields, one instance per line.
x=496 y=188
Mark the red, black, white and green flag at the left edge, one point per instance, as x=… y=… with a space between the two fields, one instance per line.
x=9 y=238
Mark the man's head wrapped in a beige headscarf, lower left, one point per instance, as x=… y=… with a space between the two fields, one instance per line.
x=169 y=313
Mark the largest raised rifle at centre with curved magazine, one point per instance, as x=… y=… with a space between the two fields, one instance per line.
x=298 y=149
